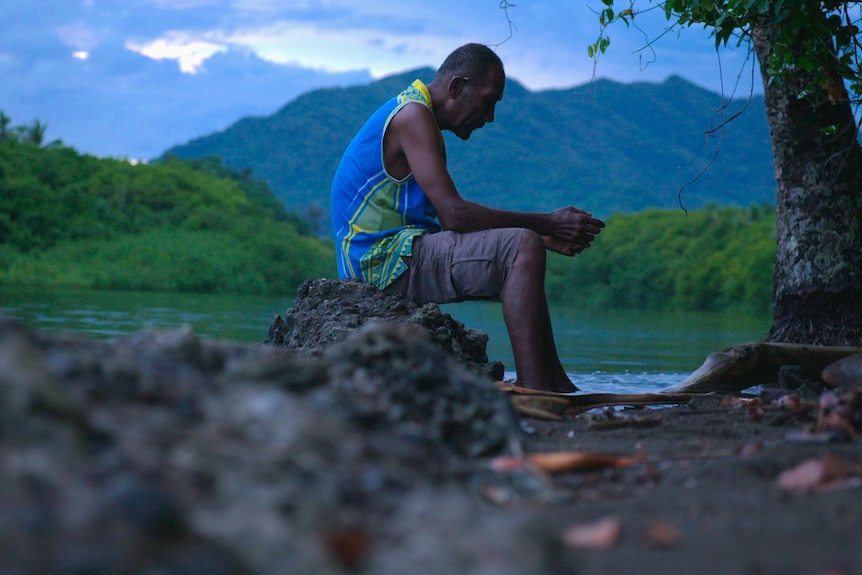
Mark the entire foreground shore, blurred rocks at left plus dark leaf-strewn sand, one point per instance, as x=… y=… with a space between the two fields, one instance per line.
x=164 y=453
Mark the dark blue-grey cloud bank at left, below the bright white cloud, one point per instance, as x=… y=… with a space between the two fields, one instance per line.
x=121 y=102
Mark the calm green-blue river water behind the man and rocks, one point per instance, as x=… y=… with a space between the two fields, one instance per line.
x=603 y=350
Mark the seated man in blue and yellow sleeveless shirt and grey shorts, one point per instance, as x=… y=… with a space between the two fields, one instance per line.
x=401 y=224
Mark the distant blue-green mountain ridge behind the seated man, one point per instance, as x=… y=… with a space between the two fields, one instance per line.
x=604 y=147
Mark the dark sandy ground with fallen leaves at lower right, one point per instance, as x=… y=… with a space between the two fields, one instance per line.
x=715 y=492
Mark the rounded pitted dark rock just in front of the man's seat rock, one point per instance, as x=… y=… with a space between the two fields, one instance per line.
x=392 y=373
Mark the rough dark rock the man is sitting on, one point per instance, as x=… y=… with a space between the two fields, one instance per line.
x=326 y=311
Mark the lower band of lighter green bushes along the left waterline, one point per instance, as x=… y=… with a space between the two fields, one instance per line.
x=175 y=259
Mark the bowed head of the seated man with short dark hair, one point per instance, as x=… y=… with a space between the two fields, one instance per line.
x=471 y=80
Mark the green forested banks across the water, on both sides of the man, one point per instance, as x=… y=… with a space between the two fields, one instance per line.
x=72 y=220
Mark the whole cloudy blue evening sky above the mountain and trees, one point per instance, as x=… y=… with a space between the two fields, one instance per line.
x=131 y=78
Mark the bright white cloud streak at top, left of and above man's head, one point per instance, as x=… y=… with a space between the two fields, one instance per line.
x=326 y=35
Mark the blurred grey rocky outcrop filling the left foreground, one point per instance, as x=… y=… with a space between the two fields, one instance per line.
x=167 y=453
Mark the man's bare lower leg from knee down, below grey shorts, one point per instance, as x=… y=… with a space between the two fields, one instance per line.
x=525 y=310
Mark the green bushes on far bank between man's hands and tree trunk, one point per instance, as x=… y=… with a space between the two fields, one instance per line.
x=716 y=259
